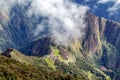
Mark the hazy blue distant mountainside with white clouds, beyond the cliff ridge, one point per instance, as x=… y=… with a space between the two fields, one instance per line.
x=108 y=9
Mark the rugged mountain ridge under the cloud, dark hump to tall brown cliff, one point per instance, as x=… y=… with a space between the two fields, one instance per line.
x=99 y=46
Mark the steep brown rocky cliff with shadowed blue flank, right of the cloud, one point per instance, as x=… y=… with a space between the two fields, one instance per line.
x=103 y=41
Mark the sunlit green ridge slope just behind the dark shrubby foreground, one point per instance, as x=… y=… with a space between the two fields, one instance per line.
x=79 y=69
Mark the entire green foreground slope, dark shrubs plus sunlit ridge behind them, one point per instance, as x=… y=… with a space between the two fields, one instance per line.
x=44 y=68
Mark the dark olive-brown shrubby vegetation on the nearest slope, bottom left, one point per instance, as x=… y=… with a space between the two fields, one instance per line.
x=14 y=70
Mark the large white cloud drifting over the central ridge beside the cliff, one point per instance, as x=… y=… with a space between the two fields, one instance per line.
x=63 y=20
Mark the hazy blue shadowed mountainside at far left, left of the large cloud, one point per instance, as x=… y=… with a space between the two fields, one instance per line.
x=16 y=28
